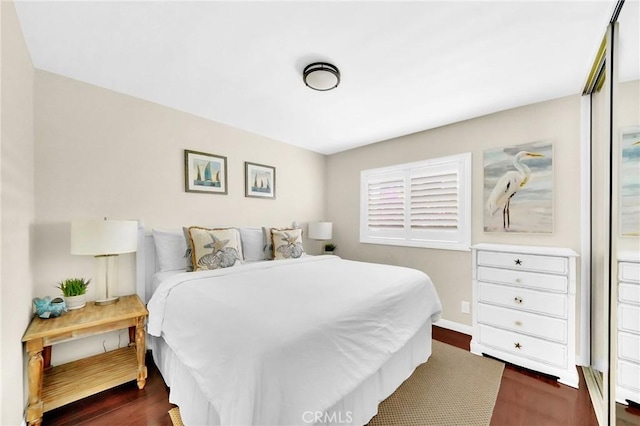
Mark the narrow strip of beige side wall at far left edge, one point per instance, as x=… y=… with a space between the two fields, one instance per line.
x=16 y=212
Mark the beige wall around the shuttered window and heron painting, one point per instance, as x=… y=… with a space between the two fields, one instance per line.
x=557 y=120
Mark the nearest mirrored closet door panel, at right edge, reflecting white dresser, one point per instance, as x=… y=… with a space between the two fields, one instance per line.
x=625 y=218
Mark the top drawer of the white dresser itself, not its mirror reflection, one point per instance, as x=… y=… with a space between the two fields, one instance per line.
x=527 y=262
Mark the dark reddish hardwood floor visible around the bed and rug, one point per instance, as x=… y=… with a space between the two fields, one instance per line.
x=525 y=398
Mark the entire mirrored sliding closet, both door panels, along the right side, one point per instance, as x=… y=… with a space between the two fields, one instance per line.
x=613 y=105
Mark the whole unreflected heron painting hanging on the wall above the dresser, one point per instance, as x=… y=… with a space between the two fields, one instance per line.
x=518 y=188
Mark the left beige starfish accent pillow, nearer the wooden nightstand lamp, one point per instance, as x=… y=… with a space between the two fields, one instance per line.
x=214 y=248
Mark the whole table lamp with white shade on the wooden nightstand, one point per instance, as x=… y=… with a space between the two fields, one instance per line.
x=105 y=239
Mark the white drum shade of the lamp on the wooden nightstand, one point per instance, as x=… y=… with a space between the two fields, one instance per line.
x=103 y=237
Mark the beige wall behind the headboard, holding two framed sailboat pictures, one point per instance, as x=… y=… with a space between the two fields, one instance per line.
x=101 y=153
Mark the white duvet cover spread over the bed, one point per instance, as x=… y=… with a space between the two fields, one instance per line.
x=270 y=342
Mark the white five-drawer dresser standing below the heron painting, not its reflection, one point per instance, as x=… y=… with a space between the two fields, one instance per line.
x=524 y=307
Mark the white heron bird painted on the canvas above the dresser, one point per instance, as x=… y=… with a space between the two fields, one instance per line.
x=510 y=183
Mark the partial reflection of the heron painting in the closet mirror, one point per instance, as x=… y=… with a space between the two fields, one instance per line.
x=630 y=182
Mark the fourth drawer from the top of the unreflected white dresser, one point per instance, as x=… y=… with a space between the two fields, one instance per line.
x=523 y=322
